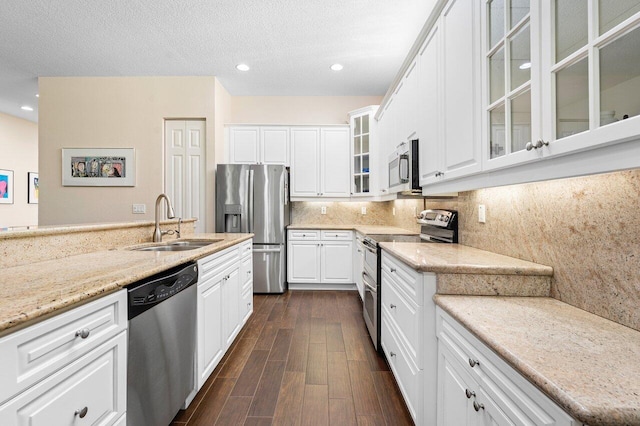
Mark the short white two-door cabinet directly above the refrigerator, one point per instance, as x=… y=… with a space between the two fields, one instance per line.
x=258 y=145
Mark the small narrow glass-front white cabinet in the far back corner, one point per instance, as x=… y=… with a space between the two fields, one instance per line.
x=362 y=138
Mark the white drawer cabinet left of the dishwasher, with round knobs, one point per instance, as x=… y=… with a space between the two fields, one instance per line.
x=52 y=370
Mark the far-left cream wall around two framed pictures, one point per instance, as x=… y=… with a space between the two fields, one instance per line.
x=18 y=152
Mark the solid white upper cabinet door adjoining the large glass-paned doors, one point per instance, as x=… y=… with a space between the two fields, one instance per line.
x=461 y=90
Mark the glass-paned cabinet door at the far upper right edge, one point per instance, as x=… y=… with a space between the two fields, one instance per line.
x=595 y=64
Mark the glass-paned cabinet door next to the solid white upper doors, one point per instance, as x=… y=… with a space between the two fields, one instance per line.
x=508 y=62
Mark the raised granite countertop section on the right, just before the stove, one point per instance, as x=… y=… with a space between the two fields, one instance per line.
x=459 y=259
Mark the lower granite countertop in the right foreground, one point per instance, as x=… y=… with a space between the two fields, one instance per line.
x=587 y=364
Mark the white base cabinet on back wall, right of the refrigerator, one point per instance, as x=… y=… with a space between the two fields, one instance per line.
x=320 y=259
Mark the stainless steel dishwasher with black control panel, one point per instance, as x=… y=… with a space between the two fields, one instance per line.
x=162 y=345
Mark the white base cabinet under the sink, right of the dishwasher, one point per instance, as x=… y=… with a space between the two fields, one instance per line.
x=225 y=302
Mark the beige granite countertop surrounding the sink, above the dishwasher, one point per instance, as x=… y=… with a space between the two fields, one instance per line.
x=39 y=289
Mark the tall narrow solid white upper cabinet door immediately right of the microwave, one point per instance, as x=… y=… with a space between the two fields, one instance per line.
x=429 y=111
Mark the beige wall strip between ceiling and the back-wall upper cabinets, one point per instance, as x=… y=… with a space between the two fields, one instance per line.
x=296 y=109
